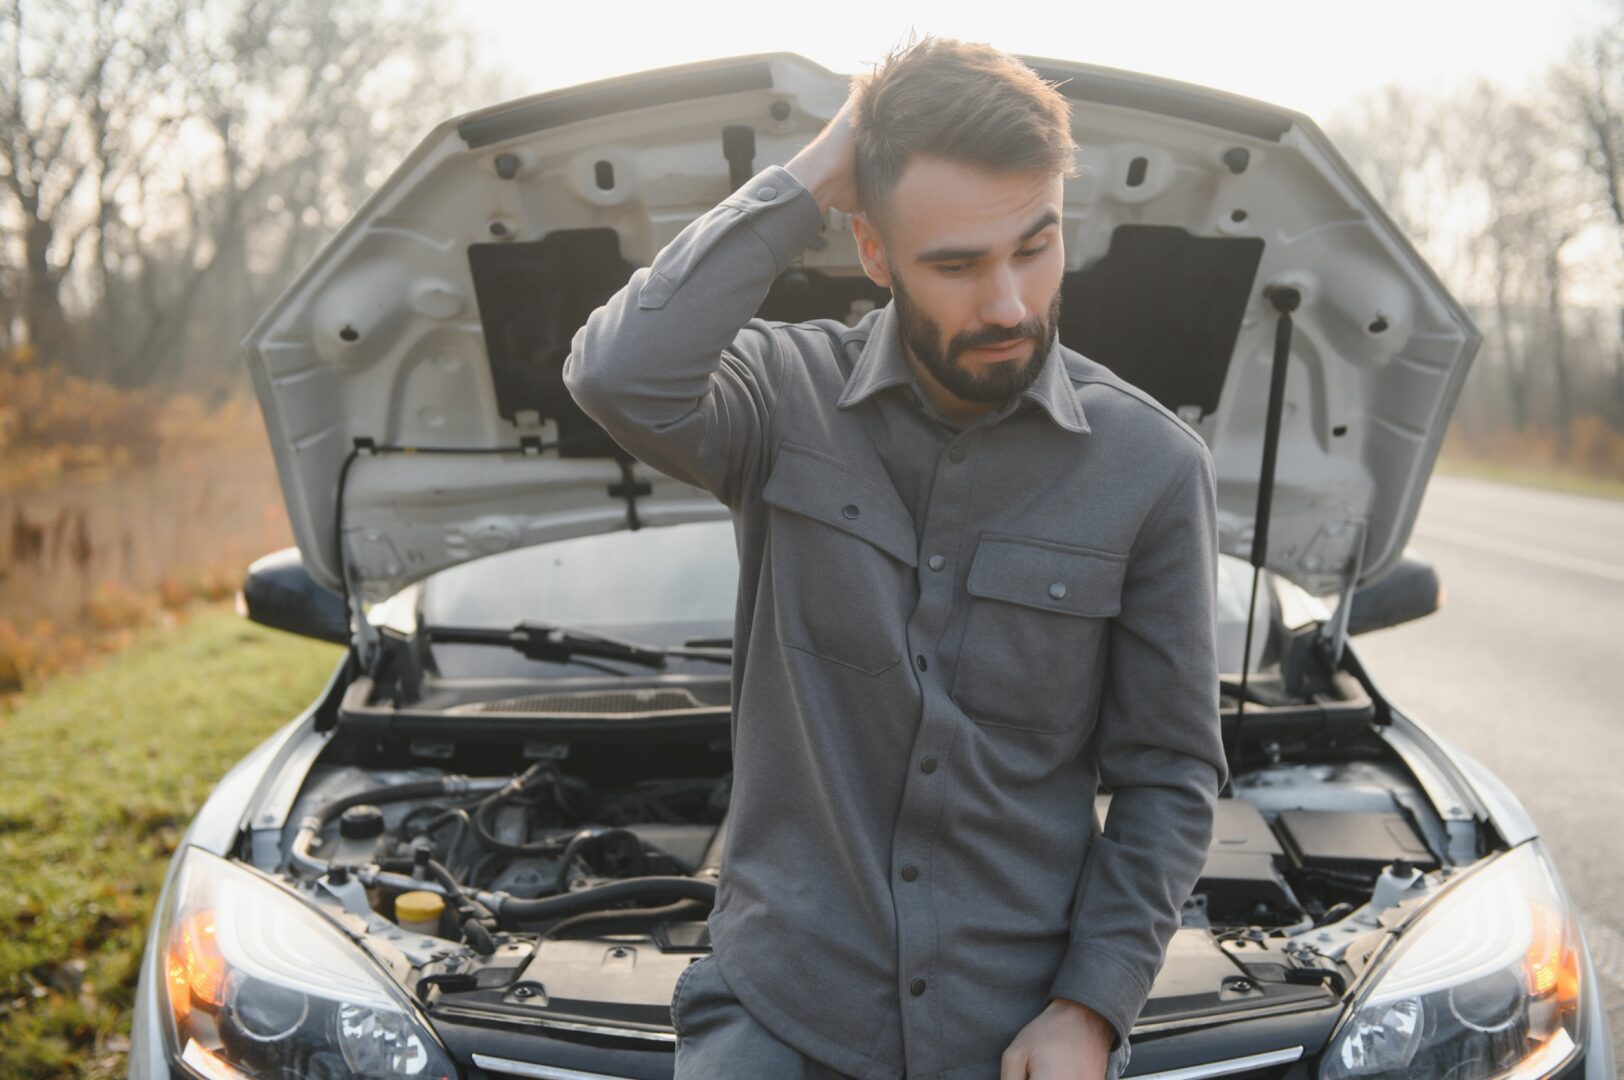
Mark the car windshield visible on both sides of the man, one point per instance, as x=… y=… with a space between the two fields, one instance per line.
x=678 y=582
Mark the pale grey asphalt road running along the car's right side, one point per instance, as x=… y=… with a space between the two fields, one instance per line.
x=1522 y=668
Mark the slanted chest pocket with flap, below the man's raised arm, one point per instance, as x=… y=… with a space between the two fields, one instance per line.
x=844 y=551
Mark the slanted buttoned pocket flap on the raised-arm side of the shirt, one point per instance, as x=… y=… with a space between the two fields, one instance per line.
x=813 y=486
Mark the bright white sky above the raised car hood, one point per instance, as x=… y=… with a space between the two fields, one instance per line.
x=1305 y=54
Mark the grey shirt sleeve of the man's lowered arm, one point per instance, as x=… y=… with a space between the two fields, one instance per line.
x=1160 y=750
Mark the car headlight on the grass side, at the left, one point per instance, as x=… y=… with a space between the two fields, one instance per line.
x=259 y=985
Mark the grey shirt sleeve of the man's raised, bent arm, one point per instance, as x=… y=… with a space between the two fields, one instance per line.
x=675 y=368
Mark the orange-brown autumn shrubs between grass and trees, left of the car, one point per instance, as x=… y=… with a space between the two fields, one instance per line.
x=119 y=509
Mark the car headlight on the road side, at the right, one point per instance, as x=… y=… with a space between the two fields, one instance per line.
x=1484 y=987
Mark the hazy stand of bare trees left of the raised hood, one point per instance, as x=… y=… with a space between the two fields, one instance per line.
x=170 y=163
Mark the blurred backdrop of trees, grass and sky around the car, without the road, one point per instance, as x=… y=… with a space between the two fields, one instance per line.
x=166 y=166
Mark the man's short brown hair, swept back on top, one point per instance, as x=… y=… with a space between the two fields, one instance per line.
x=959 y=102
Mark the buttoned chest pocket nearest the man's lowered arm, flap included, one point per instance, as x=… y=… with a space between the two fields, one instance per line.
x=1035 y=637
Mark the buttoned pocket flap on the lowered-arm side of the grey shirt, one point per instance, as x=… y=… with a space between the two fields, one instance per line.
x=1048 y=576
